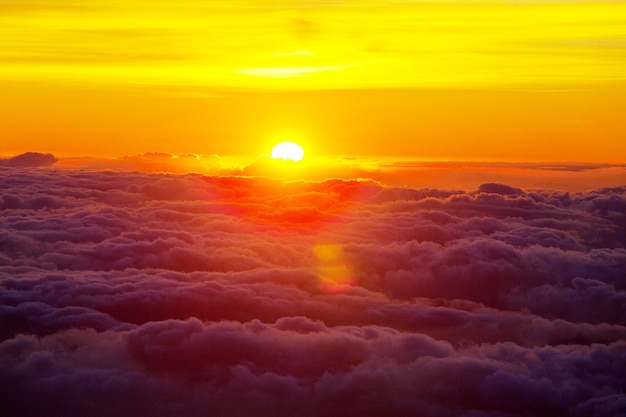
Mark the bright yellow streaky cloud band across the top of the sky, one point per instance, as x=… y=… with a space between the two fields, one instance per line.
x=421 y=43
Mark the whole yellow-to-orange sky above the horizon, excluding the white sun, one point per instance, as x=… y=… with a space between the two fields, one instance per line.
x=477 y=80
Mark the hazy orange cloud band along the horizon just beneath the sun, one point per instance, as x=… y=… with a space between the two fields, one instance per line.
x=465 y=175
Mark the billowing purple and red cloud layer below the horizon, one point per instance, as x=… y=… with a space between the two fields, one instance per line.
x=167 y=295
